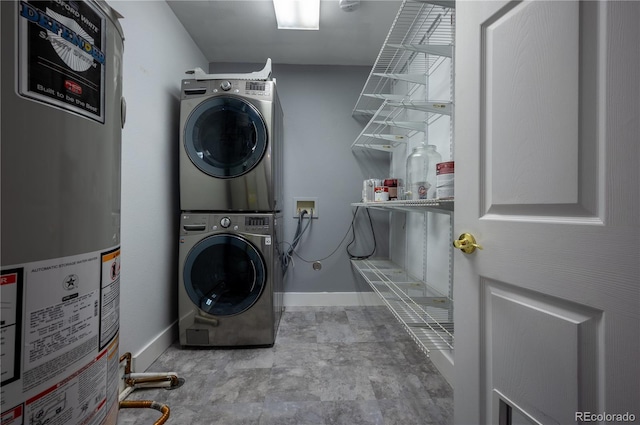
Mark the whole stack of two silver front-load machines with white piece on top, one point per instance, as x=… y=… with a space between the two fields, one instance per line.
x=230 y=274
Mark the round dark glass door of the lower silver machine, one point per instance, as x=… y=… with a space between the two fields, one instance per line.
x=224 y=275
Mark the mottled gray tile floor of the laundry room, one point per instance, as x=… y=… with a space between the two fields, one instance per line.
x=329 y=365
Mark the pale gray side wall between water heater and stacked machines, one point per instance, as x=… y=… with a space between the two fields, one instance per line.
x=157 y=52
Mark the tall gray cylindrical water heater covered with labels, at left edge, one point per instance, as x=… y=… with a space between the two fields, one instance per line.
x=62 y=115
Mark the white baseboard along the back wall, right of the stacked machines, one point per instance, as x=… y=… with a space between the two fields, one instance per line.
x=321 y=299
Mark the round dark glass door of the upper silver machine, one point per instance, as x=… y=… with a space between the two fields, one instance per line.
x=225 y=137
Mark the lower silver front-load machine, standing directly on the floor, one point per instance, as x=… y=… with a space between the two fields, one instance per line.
x=230 y=279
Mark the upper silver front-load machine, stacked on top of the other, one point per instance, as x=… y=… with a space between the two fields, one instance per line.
x=230 y=146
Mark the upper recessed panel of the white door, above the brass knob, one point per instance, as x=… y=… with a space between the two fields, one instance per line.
x=544 y=57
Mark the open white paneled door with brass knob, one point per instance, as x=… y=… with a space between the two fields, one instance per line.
x=547 y=149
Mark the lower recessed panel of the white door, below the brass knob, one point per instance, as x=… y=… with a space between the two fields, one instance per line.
x=560 y=356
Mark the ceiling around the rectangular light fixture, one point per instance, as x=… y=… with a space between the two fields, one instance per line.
x=246 y=31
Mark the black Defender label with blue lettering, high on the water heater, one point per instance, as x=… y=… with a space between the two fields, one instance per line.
x=62 y=55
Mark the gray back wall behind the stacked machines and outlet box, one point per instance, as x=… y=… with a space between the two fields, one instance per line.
x=318 y=162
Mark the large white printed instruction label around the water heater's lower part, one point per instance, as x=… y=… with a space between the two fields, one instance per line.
x=59 y=351
